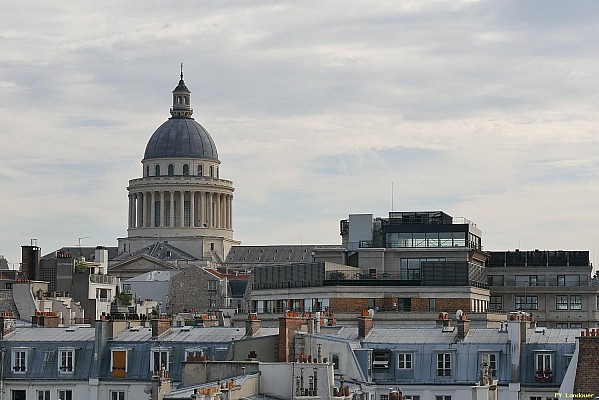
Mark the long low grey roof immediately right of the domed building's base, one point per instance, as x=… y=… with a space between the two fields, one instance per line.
x=270 y=254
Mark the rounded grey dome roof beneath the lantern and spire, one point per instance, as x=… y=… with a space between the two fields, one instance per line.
x=181 y=137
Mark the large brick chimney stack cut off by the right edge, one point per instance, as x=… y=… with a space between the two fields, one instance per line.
x=588 y=364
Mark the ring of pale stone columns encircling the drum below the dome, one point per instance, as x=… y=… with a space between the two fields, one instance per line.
x=170 y=209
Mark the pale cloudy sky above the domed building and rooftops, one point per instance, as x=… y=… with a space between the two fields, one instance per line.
x=483 y=109
